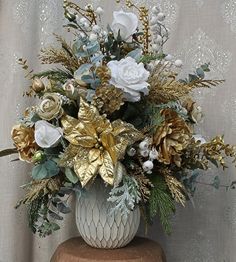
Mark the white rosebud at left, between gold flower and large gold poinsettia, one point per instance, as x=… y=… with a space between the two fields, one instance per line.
x=47 y=135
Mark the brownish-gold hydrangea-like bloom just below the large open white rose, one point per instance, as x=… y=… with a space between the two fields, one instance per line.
x=108 y=99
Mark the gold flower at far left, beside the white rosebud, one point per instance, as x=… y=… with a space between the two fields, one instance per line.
x=23 y=138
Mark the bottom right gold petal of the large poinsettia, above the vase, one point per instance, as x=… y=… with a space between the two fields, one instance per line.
x=106 y=170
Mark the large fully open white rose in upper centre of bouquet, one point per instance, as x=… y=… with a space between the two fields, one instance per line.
x=130 y=77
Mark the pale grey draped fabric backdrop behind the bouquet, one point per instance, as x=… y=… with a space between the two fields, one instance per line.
x=201 y=31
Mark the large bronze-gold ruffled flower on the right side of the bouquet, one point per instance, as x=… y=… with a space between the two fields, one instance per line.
x=171 y=138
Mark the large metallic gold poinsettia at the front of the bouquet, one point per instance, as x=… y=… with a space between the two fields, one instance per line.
x=96 y=144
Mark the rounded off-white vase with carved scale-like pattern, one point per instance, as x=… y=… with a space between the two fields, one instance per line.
x=97 y=226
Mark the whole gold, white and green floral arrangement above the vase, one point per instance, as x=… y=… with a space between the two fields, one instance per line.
x=113 y=108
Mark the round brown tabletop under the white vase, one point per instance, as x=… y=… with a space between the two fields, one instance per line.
x=139 y=250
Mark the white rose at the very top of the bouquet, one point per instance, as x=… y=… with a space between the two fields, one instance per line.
x=125 y=22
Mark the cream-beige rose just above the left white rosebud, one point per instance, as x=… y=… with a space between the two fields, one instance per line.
x=50 y=107
